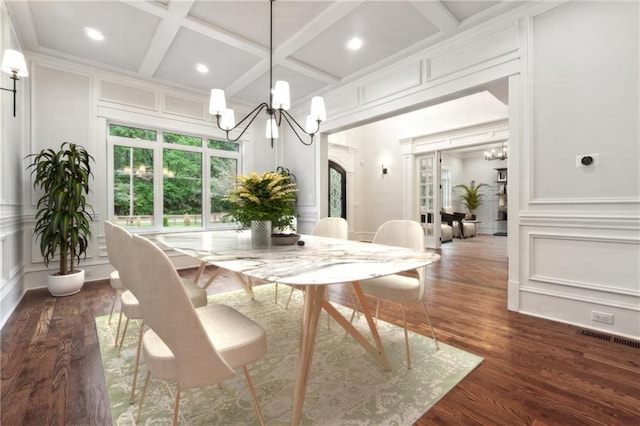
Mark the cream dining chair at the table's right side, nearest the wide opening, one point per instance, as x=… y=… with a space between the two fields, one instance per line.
x=401 y=288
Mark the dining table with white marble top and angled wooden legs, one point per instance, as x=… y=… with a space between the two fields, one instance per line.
x=313 y=264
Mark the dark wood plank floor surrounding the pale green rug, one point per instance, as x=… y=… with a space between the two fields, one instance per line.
x=535 y=372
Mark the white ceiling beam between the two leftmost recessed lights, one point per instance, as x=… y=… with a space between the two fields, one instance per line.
x=163 y=37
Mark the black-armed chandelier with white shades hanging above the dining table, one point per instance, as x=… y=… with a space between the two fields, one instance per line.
x=276 y=109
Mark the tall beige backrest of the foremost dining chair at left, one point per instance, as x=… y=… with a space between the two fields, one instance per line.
x=167 y=309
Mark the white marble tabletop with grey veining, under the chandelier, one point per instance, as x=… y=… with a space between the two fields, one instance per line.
x=319 y=261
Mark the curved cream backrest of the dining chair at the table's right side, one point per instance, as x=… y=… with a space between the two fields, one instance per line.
x=403 y=233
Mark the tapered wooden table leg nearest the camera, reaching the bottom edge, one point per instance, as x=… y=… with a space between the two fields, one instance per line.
x=314 y=295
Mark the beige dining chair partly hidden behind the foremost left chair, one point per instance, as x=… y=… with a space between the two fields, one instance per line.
x=115 y=237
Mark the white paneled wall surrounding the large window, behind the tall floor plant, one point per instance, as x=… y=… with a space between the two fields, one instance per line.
x=70 y=102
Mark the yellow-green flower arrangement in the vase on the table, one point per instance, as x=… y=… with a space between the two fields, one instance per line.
x=269 y=196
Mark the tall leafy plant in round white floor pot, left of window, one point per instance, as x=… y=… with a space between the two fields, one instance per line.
x=63 y=217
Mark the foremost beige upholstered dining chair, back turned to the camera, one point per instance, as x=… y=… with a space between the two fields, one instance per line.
x=194 y=347
